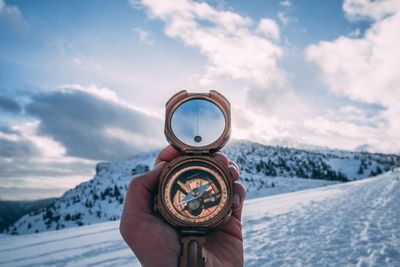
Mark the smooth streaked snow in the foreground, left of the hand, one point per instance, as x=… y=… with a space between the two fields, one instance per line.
x=99 y=245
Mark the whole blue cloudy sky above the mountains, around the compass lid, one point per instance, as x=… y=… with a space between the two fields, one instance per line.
x=87 y=81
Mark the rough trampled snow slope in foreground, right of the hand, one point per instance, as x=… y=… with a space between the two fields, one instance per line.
x=355 y=223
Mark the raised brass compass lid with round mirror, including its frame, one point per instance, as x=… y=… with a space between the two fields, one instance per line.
x=198 y=123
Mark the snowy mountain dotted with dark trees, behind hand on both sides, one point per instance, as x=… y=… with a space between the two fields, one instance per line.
x=265 y=170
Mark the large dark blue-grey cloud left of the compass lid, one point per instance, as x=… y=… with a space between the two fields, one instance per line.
x=93 y=123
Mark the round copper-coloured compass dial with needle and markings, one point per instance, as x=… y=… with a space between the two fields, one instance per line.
x=195 y=194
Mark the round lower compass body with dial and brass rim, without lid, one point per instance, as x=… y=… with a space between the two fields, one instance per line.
x=197 y=193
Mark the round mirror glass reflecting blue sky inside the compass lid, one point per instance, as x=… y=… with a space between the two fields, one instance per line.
x=198 y=122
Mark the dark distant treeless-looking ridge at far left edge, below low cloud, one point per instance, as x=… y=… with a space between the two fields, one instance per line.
x=11 y=211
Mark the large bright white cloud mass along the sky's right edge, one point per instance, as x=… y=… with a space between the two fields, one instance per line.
x=365 y=69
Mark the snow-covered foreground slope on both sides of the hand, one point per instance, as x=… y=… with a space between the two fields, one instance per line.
x=354 y=224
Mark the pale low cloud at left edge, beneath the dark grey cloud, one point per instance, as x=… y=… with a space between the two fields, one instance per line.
x=33 y=177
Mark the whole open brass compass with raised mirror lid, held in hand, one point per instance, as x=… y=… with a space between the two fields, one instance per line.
x=195 y=190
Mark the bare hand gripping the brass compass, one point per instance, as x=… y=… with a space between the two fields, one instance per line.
x=156 y=243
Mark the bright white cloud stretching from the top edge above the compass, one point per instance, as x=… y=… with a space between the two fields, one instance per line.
x=232 y=46
